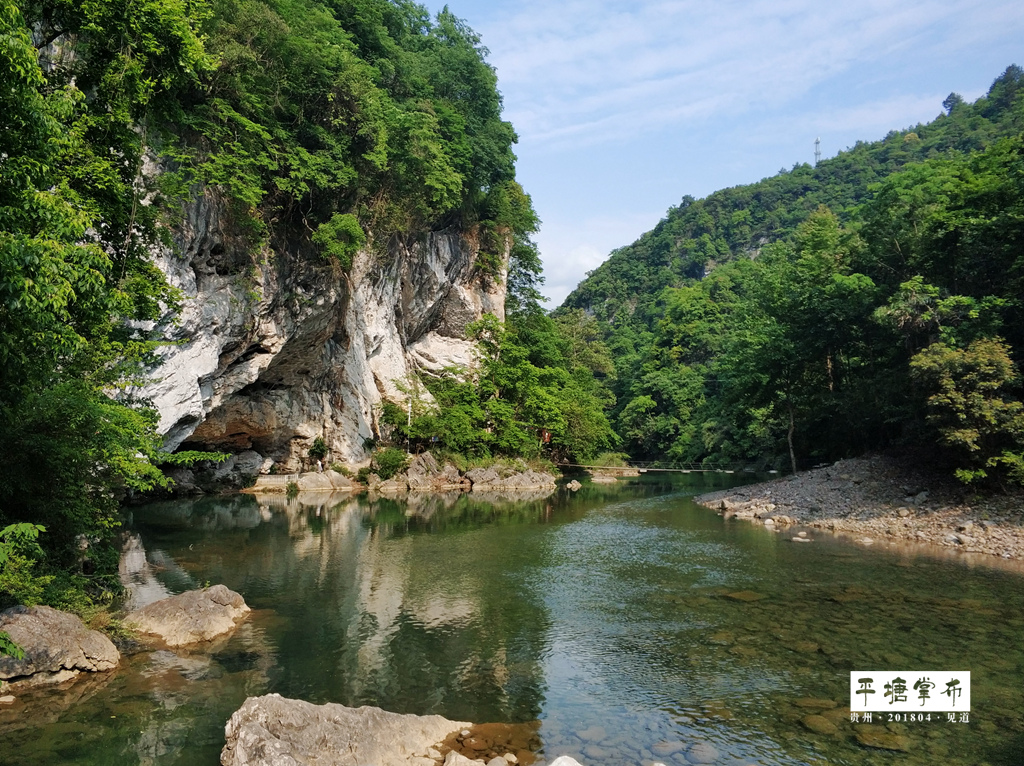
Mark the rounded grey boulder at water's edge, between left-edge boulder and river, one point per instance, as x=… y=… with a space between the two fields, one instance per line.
x=191 y=617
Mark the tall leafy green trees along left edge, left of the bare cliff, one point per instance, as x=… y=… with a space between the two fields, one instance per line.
x=76 y=280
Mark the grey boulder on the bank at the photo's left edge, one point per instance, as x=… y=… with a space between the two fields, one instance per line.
x=58 y=648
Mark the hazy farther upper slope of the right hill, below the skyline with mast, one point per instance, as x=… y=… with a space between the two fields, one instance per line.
x=698 y=235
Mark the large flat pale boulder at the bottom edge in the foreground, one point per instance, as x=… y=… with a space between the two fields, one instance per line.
x=272 y=731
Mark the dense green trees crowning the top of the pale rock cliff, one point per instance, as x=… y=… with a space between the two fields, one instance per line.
x=348 y=117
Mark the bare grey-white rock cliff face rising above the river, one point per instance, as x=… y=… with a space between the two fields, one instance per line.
x=275 y=351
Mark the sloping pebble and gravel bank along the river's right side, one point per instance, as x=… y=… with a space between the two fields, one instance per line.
x=878 y=499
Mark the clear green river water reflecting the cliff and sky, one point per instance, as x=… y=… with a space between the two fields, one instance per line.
x=629 y=622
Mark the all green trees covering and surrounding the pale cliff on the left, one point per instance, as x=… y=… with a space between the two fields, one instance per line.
x=343 y=124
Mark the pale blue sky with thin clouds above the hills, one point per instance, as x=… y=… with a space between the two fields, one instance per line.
x=623 y=108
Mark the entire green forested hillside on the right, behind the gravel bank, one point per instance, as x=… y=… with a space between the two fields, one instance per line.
x=873 y=302
